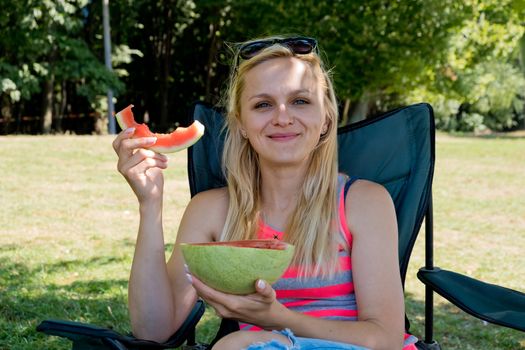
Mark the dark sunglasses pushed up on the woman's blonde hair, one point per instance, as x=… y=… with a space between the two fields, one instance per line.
x=298 y=45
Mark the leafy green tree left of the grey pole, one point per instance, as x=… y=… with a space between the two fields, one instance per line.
x=45 y=47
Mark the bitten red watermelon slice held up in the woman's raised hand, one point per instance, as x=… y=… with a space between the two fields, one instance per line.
x=179 y=139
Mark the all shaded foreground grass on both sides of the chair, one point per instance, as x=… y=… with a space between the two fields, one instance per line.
x=26 y=300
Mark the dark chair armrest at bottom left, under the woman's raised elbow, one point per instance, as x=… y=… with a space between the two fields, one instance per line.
x=87 y=336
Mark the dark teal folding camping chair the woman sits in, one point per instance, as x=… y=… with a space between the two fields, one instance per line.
x=395 y=149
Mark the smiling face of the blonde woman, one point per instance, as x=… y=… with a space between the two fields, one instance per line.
x=282 y=110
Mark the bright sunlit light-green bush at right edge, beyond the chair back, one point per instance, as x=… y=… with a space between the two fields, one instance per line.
x=489 y=95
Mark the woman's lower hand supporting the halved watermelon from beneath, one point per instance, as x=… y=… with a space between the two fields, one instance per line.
x=260 y=308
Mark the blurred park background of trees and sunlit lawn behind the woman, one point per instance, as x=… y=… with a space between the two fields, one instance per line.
x=68 y=220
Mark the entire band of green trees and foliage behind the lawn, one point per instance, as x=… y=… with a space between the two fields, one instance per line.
x=168 y=54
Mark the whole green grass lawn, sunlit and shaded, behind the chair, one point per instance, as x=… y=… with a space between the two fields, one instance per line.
x=68 y=222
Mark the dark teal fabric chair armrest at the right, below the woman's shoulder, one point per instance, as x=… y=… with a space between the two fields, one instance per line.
x=489 y=302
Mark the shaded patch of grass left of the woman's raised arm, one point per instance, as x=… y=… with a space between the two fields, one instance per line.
x=26 y=299
